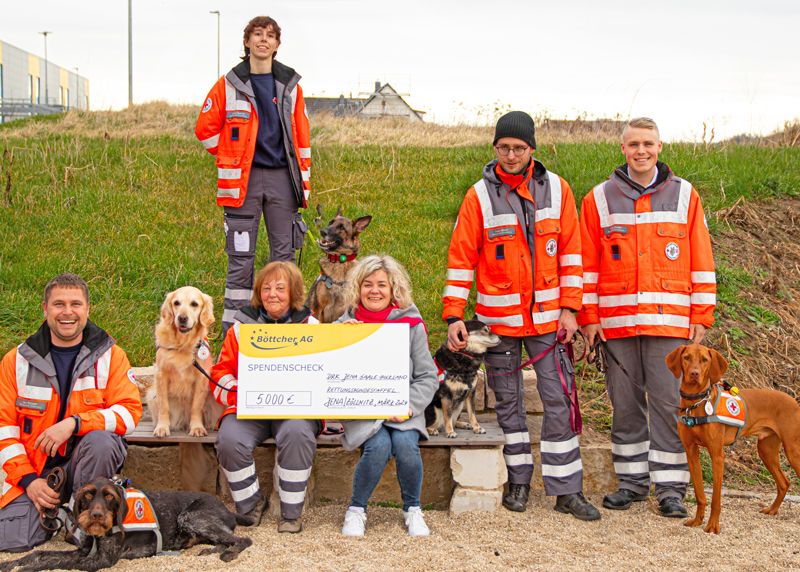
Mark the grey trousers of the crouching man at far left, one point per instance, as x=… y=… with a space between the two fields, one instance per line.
x=97 y=454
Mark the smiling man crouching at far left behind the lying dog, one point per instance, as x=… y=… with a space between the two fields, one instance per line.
x=67 y=396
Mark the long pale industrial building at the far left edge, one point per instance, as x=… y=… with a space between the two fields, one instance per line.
x=25 y=90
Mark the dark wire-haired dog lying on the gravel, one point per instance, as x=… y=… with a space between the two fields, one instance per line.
x=185 y=519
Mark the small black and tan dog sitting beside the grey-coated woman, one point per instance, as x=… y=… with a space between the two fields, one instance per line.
x=460 y=372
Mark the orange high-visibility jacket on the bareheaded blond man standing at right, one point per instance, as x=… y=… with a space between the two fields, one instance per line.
x=647 y=258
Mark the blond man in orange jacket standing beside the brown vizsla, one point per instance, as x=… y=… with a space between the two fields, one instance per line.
x=649 y=285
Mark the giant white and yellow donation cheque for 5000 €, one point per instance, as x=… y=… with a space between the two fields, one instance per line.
x=323 y=371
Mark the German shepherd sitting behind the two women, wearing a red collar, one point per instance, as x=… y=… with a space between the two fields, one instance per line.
x=339 y=243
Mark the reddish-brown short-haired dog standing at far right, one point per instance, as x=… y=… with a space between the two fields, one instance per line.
x=772 y=416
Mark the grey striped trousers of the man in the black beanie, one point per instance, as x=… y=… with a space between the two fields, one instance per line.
x=562 y=470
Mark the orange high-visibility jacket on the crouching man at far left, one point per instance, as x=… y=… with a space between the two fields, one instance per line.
x=104 y=395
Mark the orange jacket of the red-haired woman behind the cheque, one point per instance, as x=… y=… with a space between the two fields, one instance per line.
x=226 y=370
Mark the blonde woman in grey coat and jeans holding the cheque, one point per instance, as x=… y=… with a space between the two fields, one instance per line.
x=379 y=291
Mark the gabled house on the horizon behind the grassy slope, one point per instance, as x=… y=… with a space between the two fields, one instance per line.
x=383 y=102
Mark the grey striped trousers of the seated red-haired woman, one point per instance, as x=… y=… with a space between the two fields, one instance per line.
x=296 y=443
